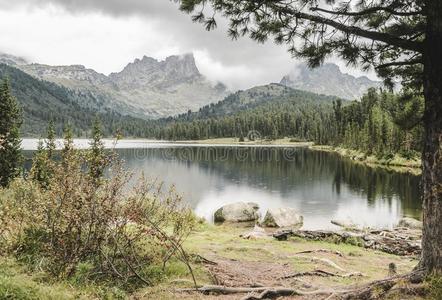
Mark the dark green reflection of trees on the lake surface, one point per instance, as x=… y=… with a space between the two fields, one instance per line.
x=288 y=169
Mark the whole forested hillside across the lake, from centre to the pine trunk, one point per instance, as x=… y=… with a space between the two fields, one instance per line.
x=381 y=123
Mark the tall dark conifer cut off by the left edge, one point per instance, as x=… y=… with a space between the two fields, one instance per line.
x=10 y=142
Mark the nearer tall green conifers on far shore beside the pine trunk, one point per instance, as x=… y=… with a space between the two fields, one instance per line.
x=371 y=126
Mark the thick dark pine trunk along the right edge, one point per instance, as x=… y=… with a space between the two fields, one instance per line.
x=432 y=155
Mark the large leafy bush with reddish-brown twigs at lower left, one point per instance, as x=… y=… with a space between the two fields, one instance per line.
x=88 y=227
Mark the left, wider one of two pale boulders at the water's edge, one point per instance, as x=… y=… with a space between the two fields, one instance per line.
x=237 y=212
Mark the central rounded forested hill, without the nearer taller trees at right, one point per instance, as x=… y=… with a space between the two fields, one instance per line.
x=269 y=111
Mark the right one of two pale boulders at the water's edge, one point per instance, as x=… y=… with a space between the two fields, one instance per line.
x=283 y=217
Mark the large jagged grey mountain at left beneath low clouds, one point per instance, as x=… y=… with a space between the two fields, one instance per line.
x=146 y=88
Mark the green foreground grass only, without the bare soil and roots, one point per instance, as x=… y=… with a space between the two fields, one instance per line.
x=213 y=242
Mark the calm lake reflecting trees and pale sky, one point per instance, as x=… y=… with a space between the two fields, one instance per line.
x=321 y=185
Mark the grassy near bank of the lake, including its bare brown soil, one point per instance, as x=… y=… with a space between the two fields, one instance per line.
x=235 y=262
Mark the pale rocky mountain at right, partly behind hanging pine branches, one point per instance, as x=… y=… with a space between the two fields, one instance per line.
x=329 y=80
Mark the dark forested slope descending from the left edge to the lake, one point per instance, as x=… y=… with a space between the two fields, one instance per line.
x=42 y=101
